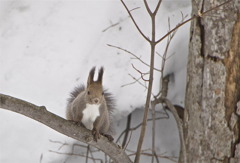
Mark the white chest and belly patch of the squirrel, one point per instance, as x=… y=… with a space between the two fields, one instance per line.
x=90 y=113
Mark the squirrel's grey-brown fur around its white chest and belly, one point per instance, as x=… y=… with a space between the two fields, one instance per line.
x=79 y=97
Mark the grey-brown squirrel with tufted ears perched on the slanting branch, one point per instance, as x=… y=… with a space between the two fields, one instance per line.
x=92 y=106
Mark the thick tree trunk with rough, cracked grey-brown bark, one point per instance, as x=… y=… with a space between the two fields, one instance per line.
x=211 y=120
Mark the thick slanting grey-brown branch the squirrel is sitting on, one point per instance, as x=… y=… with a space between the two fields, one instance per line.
x=68 y=128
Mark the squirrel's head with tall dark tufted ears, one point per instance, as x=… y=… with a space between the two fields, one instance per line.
x=94 y=91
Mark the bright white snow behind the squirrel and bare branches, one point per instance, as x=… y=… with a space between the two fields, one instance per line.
x=48 y=47
